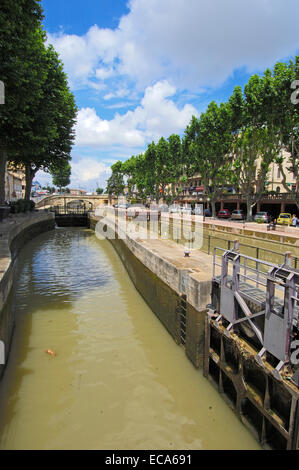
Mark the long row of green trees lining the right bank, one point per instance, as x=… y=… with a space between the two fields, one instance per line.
x=230 y=143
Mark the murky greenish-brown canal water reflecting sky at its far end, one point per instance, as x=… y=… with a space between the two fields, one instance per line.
x=118 y=380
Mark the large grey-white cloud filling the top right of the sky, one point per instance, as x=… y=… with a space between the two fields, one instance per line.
x=197 y=43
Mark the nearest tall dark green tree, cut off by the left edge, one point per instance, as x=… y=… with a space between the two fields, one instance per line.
x=20 y=46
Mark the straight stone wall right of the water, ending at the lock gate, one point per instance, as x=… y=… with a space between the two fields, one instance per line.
x=174 y=292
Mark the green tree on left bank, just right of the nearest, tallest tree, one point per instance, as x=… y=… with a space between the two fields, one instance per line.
x=52 y=124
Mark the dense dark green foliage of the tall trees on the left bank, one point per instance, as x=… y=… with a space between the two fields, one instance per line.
x=36 y=125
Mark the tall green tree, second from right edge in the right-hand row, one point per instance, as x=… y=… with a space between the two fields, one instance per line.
x=256 y=141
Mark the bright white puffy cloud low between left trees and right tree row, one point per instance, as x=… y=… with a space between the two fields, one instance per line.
x=156 y=116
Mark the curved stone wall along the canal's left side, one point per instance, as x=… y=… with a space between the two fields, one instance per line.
x=14 y=233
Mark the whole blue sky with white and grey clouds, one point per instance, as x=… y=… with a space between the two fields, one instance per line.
x=140 y=69
